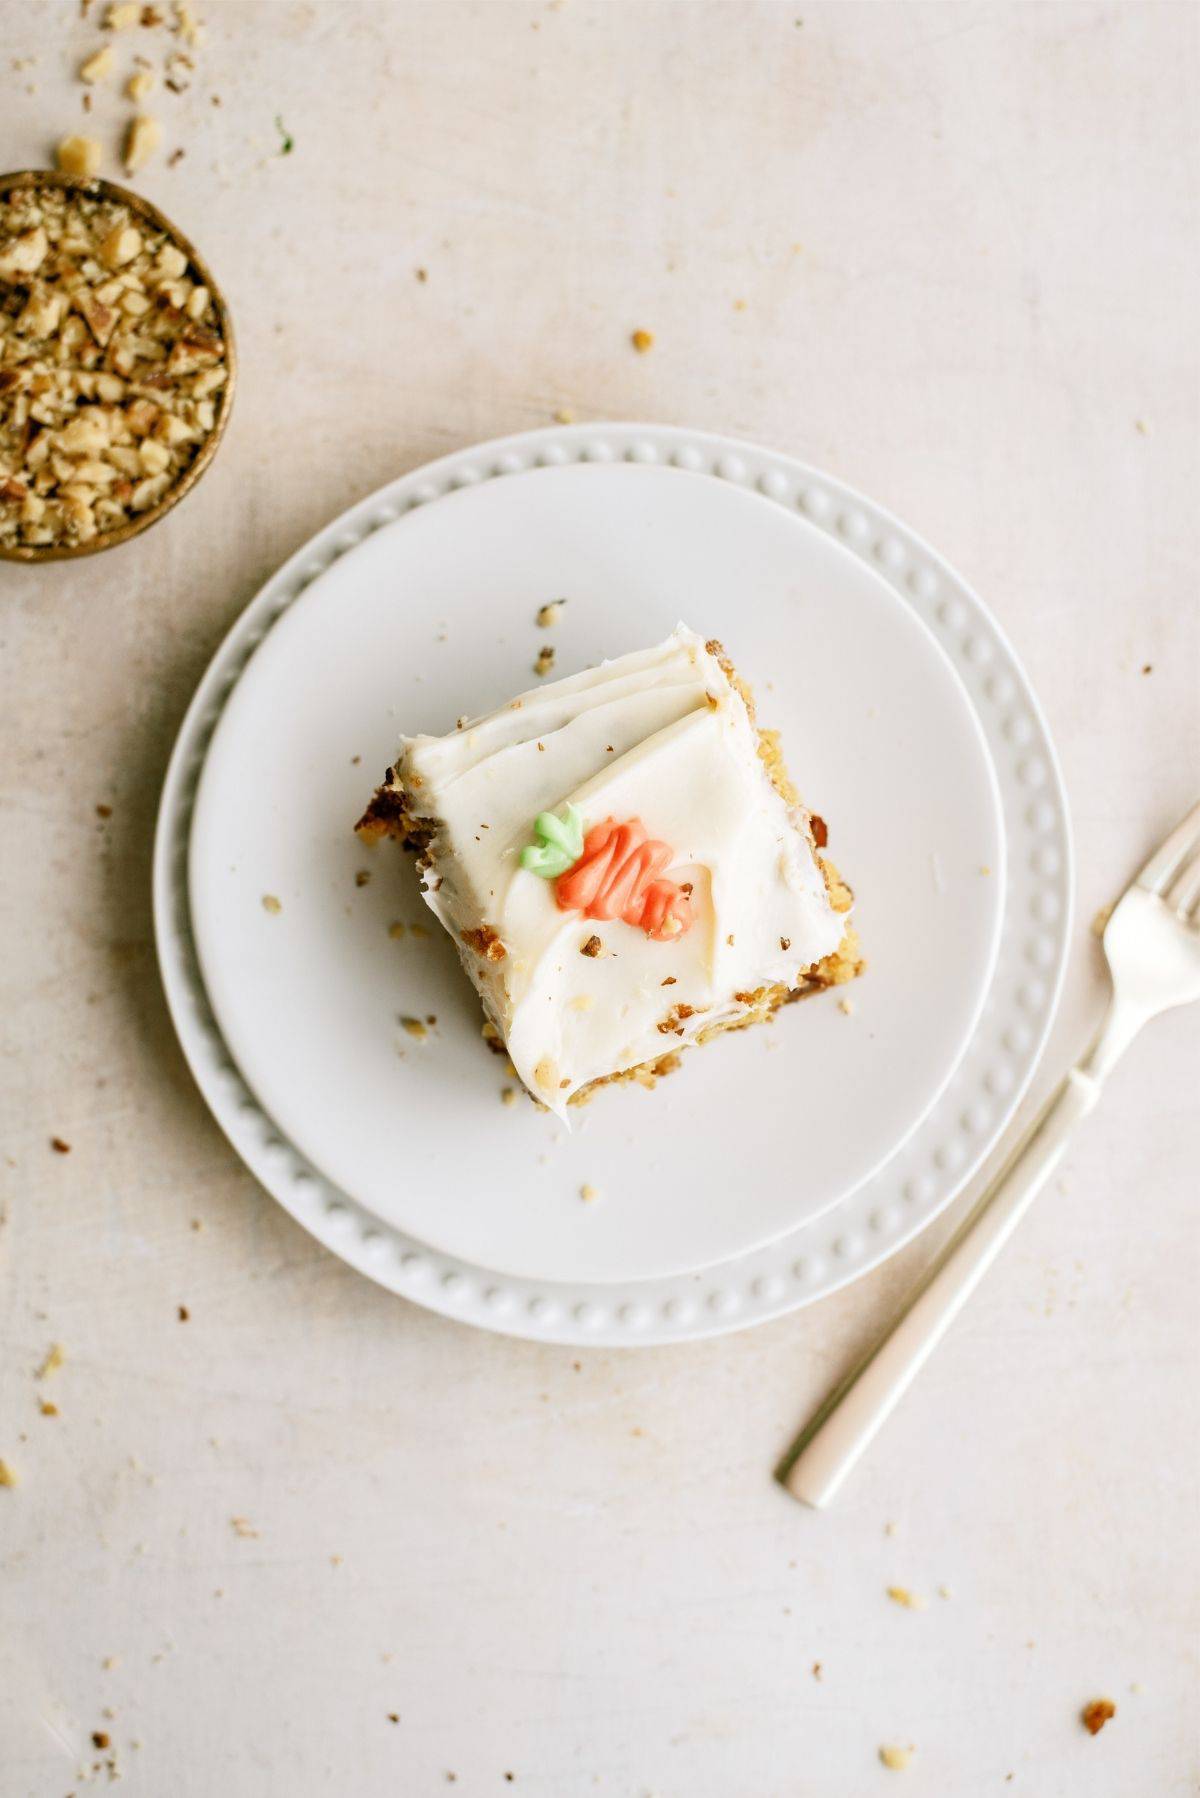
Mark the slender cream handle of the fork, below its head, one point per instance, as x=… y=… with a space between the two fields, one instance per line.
x=855 y=1411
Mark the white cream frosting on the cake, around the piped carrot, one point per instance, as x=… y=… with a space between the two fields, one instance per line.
x=661 y=736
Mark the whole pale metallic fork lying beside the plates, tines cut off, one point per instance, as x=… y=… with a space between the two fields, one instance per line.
x=1152 y=943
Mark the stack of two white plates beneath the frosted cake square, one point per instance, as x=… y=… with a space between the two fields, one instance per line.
x=319 y=691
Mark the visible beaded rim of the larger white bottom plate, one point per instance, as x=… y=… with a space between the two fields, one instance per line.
x=942 y=1155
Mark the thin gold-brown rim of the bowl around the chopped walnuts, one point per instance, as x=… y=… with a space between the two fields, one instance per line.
x=224 y=398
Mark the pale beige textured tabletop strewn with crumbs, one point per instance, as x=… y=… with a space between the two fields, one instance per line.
x=967 y=245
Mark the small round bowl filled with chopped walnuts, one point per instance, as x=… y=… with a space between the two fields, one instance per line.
x=118 y=366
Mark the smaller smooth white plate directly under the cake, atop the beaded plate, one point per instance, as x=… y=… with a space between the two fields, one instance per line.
x=434 y=618
